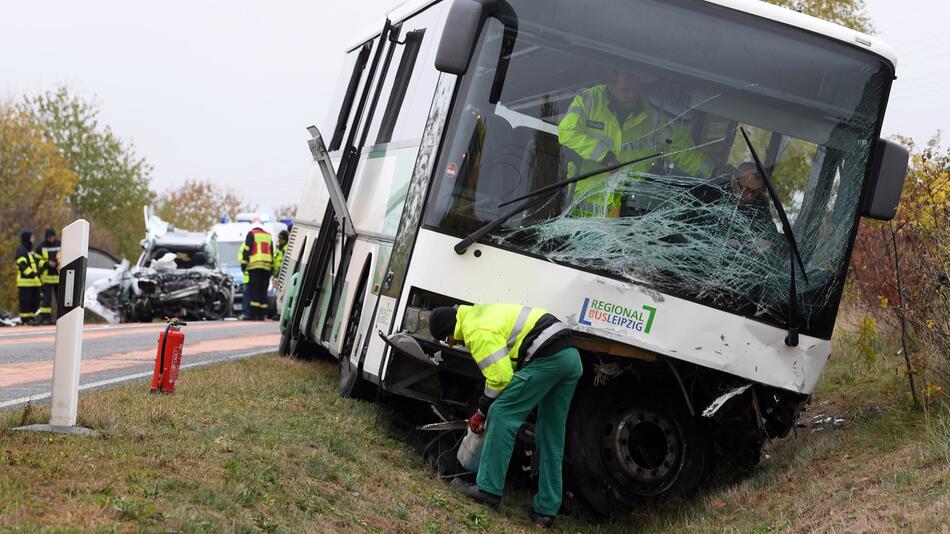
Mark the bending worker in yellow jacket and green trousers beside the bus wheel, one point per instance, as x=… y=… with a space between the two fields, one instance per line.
x=528 y=359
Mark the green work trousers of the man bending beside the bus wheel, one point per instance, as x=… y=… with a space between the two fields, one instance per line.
x=547 y=382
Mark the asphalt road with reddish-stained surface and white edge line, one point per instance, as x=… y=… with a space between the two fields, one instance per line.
x=113 y=354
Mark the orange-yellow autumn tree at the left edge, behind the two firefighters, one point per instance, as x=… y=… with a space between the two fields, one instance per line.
x=35 y=186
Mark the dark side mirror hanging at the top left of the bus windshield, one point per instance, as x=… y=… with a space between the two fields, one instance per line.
x=461 y=30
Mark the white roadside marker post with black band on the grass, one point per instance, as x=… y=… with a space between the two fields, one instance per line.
x=69 y=323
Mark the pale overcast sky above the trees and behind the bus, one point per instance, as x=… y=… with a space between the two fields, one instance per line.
x=224 y=90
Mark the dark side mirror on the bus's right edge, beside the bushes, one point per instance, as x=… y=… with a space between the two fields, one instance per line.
x=888 y=170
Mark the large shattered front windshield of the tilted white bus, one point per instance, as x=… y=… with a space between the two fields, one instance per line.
x=673 y=82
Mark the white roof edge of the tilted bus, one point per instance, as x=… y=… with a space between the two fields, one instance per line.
x=407 y=8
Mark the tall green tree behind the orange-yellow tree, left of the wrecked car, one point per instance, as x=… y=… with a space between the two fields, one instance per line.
x=113 y=181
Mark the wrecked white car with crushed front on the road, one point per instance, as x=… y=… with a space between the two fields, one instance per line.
x=176 y=275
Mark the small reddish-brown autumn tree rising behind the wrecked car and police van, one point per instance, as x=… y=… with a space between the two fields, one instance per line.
x=198 y=204
